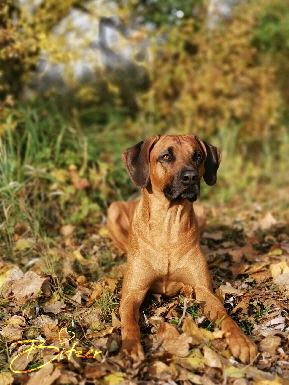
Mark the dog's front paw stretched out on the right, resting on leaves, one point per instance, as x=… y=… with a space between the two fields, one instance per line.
x=242 y=347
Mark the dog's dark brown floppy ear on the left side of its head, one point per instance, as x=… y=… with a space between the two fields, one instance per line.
x=136 y=161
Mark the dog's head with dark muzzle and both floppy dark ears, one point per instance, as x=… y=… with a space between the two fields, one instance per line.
x=173 y=164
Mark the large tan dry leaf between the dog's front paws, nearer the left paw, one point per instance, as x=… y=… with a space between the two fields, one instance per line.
x=172 y=341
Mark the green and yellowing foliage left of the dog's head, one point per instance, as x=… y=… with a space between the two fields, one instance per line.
x=51 y=171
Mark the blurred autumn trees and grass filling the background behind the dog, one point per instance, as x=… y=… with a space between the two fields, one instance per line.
x=82 y=80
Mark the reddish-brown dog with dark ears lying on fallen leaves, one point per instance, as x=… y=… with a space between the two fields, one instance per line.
x=161 y=236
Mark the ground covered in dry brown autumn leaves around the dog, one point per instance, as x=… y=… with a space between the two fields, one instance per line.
x=60 y=298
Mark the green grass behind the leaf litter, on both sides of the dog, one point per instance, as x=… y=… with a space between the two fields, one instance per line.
x=42 y=145
